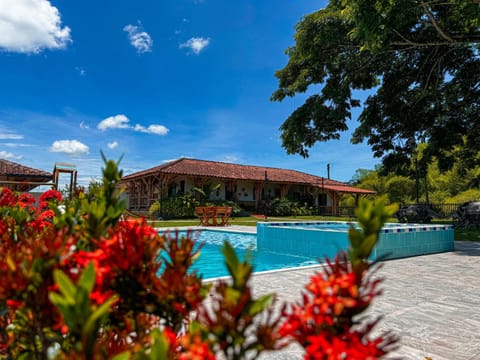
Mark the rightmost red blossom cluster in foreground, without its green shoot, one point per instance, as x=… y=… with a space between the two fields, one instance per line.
x=323 y=322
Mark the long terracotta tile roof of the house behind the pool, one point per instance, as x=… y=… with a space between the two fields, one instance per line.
x=221 y=170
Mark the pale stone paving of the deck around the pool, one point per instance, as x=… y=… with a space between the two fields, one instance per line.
x=431 y=302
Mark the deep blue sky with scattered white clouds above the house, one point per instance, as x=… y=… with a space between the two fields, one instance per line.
x=152 y=81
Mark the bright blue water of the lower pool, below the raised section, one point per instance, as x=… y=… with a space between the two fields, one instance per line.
x=211 y=263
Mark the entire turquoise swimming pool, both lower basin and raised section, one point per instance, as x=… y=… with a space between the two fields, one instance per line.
x=295 y=244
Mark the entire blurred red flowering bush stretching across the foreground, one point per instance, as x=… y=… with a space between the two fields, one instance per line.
x=83 y=284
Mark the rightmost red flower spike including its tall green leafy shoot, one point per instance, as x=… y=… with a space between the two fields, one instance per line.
x=326 y=321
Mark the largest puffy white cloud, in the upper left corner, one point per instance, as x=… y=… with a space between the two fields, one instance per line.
x=30 y=26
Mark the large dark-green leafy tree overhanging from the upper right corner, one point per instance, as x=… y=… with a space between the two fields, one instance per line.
x=419 y=59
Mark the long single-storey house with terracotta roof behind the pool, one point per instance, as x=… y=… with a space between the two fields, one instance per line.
x=247 y=185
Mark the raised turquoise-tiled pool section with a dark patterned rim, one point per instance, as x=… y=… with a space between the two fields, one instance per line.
x=325 y=238
